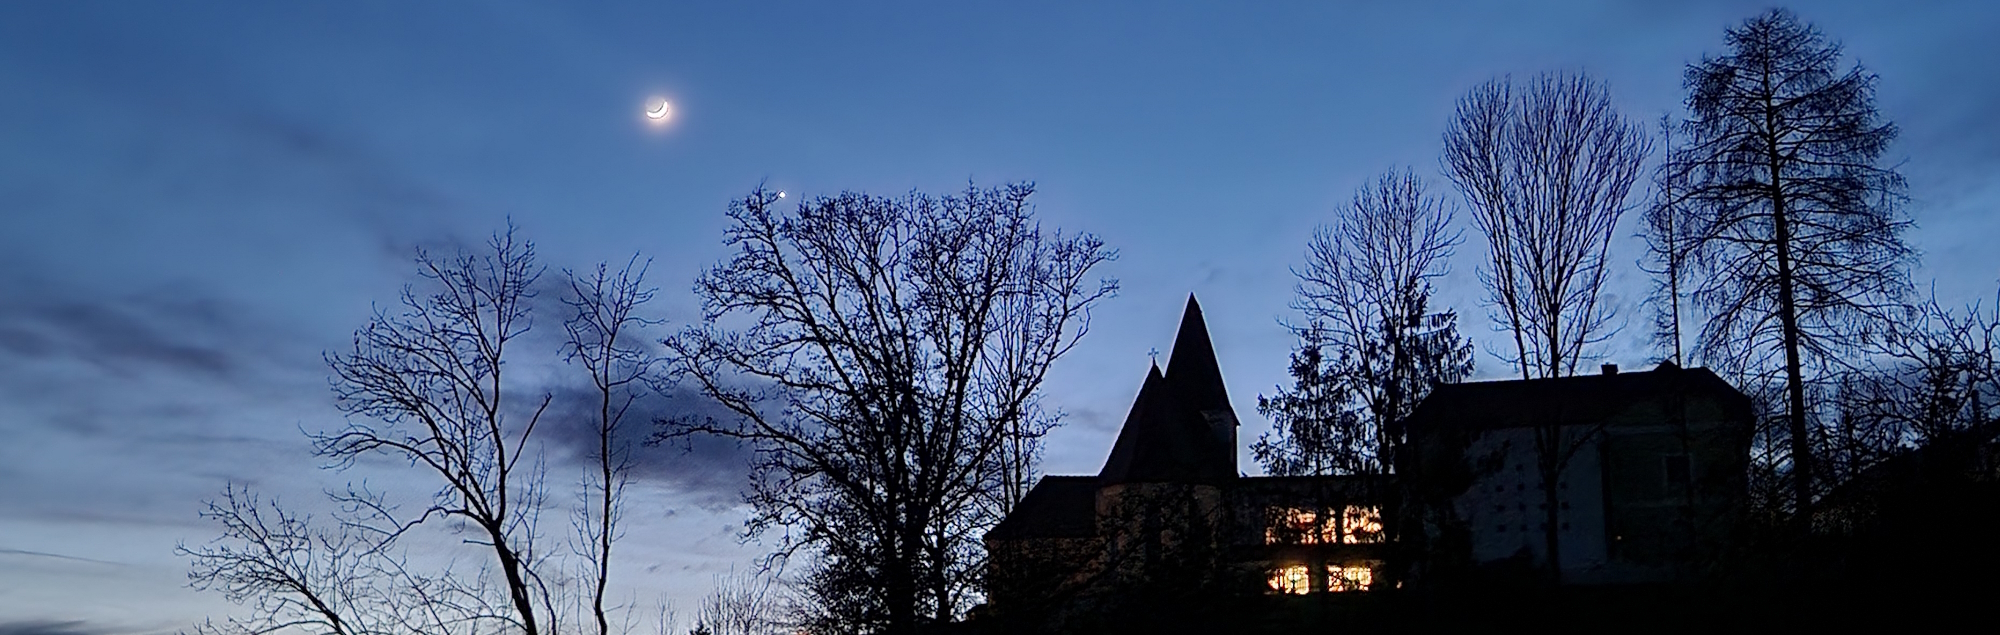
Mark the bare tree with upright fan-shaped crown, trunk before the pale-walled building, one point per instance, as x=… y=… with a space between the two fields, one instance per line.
x=1547 y=173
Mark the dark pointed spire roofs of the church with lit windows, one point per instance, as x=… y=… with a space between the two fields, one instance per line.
x=1181 y=428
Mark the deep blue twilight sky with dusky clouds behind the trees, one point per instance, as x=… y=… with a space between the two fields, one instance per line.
x=201 y=199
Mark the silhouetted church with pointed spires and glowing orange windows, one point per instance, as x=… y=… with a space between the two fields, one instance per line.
x=1171 y=514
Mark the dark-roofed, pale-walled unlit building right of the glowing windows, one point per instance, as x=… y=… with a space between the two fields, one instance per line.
x=1649 y=472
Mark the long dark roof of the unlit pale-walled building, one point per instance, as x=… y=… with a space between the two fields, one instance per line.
x=1581 y=400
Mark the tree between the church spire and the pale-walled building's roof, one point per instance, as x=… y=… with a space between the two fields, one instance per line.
x=1371 y=346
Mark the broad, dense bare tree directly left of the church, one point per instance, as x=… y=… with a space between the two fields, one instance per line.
x=887 y=372
